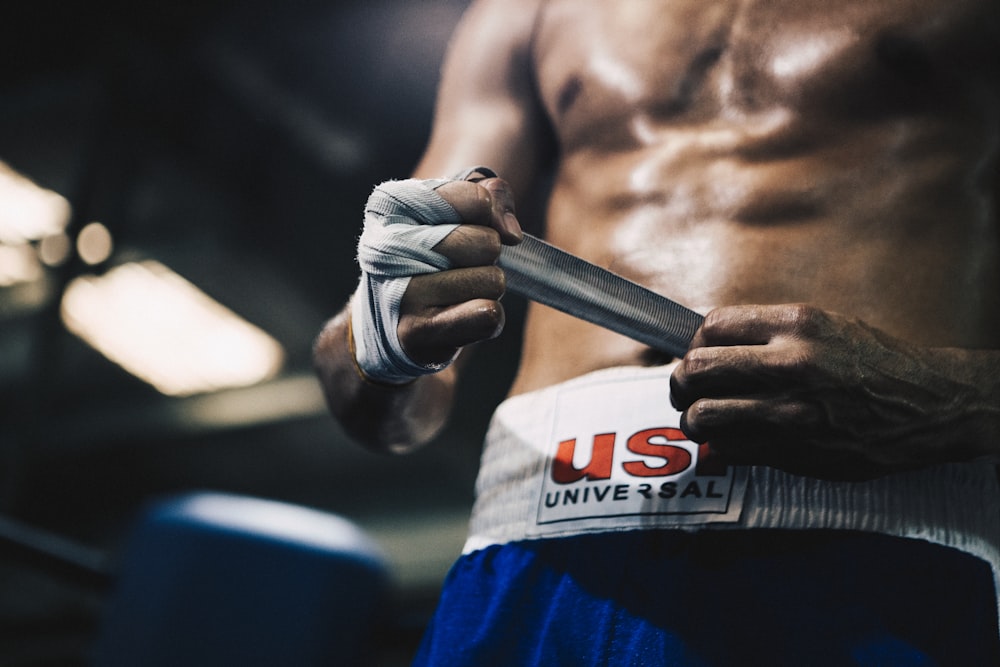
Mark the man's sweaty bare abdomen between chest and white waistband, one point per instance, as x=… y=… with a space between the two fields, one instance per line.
x=904 y=246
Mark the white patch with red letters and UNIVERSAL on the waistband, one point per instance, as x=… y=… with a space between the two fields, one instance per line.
x=617 y=459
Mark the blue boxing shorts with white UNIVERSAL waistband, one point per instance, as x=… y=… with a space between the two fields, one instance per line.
x=601 y=536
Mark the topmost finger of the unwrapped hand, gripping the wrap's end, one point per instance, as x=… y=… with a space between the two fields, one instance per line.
x=757 y=325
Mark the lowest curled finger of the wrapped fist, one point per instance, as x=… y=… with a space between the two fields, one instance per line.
x=435 y=337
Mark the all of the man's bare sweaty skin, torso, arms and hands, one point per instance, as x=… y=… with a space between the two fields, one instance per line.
x=819 y=177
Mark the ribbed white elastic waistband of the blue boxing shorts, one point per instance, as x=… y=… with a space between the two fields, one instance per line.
x=957 y=505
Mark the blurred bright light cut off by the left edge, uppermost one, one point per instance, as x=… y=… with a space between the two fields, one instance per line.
x=28 y=212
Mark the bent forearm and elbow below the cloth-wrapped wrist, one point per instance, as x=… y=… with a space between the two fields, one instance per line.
x=384 y=418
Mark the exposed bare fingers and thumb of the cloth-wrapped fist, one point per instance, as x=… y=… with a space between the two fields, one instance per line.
x=444 y=311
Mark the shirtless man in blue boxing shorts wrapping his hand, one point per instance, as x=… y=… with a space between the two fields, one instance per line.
x=820 y=179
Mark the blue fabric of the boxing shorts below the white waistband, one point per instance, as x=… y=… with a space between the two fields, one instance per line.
x=761 y=597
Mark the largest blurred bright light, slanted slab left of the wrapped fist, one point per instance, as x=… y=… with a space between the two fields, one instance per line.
x=164 y=330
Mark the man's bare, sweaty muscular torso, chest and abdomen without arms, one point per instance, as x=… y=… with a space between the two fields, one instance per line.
x=842 y=154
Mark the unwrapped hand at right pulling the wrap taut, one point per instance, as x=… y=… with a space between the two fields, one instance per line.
x=816 y=394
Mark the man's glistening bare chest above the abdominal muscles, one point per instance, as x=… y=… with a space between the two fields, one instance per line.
x=692 y=60
